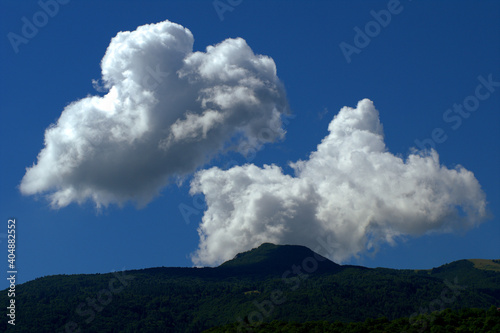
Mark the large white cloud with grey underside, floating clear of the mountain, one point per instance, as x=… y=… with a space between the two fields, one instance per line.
x=166 y=112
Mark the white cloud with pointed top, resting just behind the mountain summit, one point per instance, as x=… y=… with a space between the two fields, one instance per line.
x=351 y=193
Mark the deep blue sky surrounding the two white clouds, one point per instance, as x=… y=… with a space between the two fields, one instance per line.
x=430 y=56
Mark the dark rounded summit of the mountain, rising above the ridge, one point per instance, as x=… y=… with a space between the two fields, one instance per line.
x=271 y=258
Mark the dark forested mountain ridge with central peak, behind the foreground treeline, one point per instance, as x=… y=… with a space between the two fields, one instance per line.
x=272 y=282
